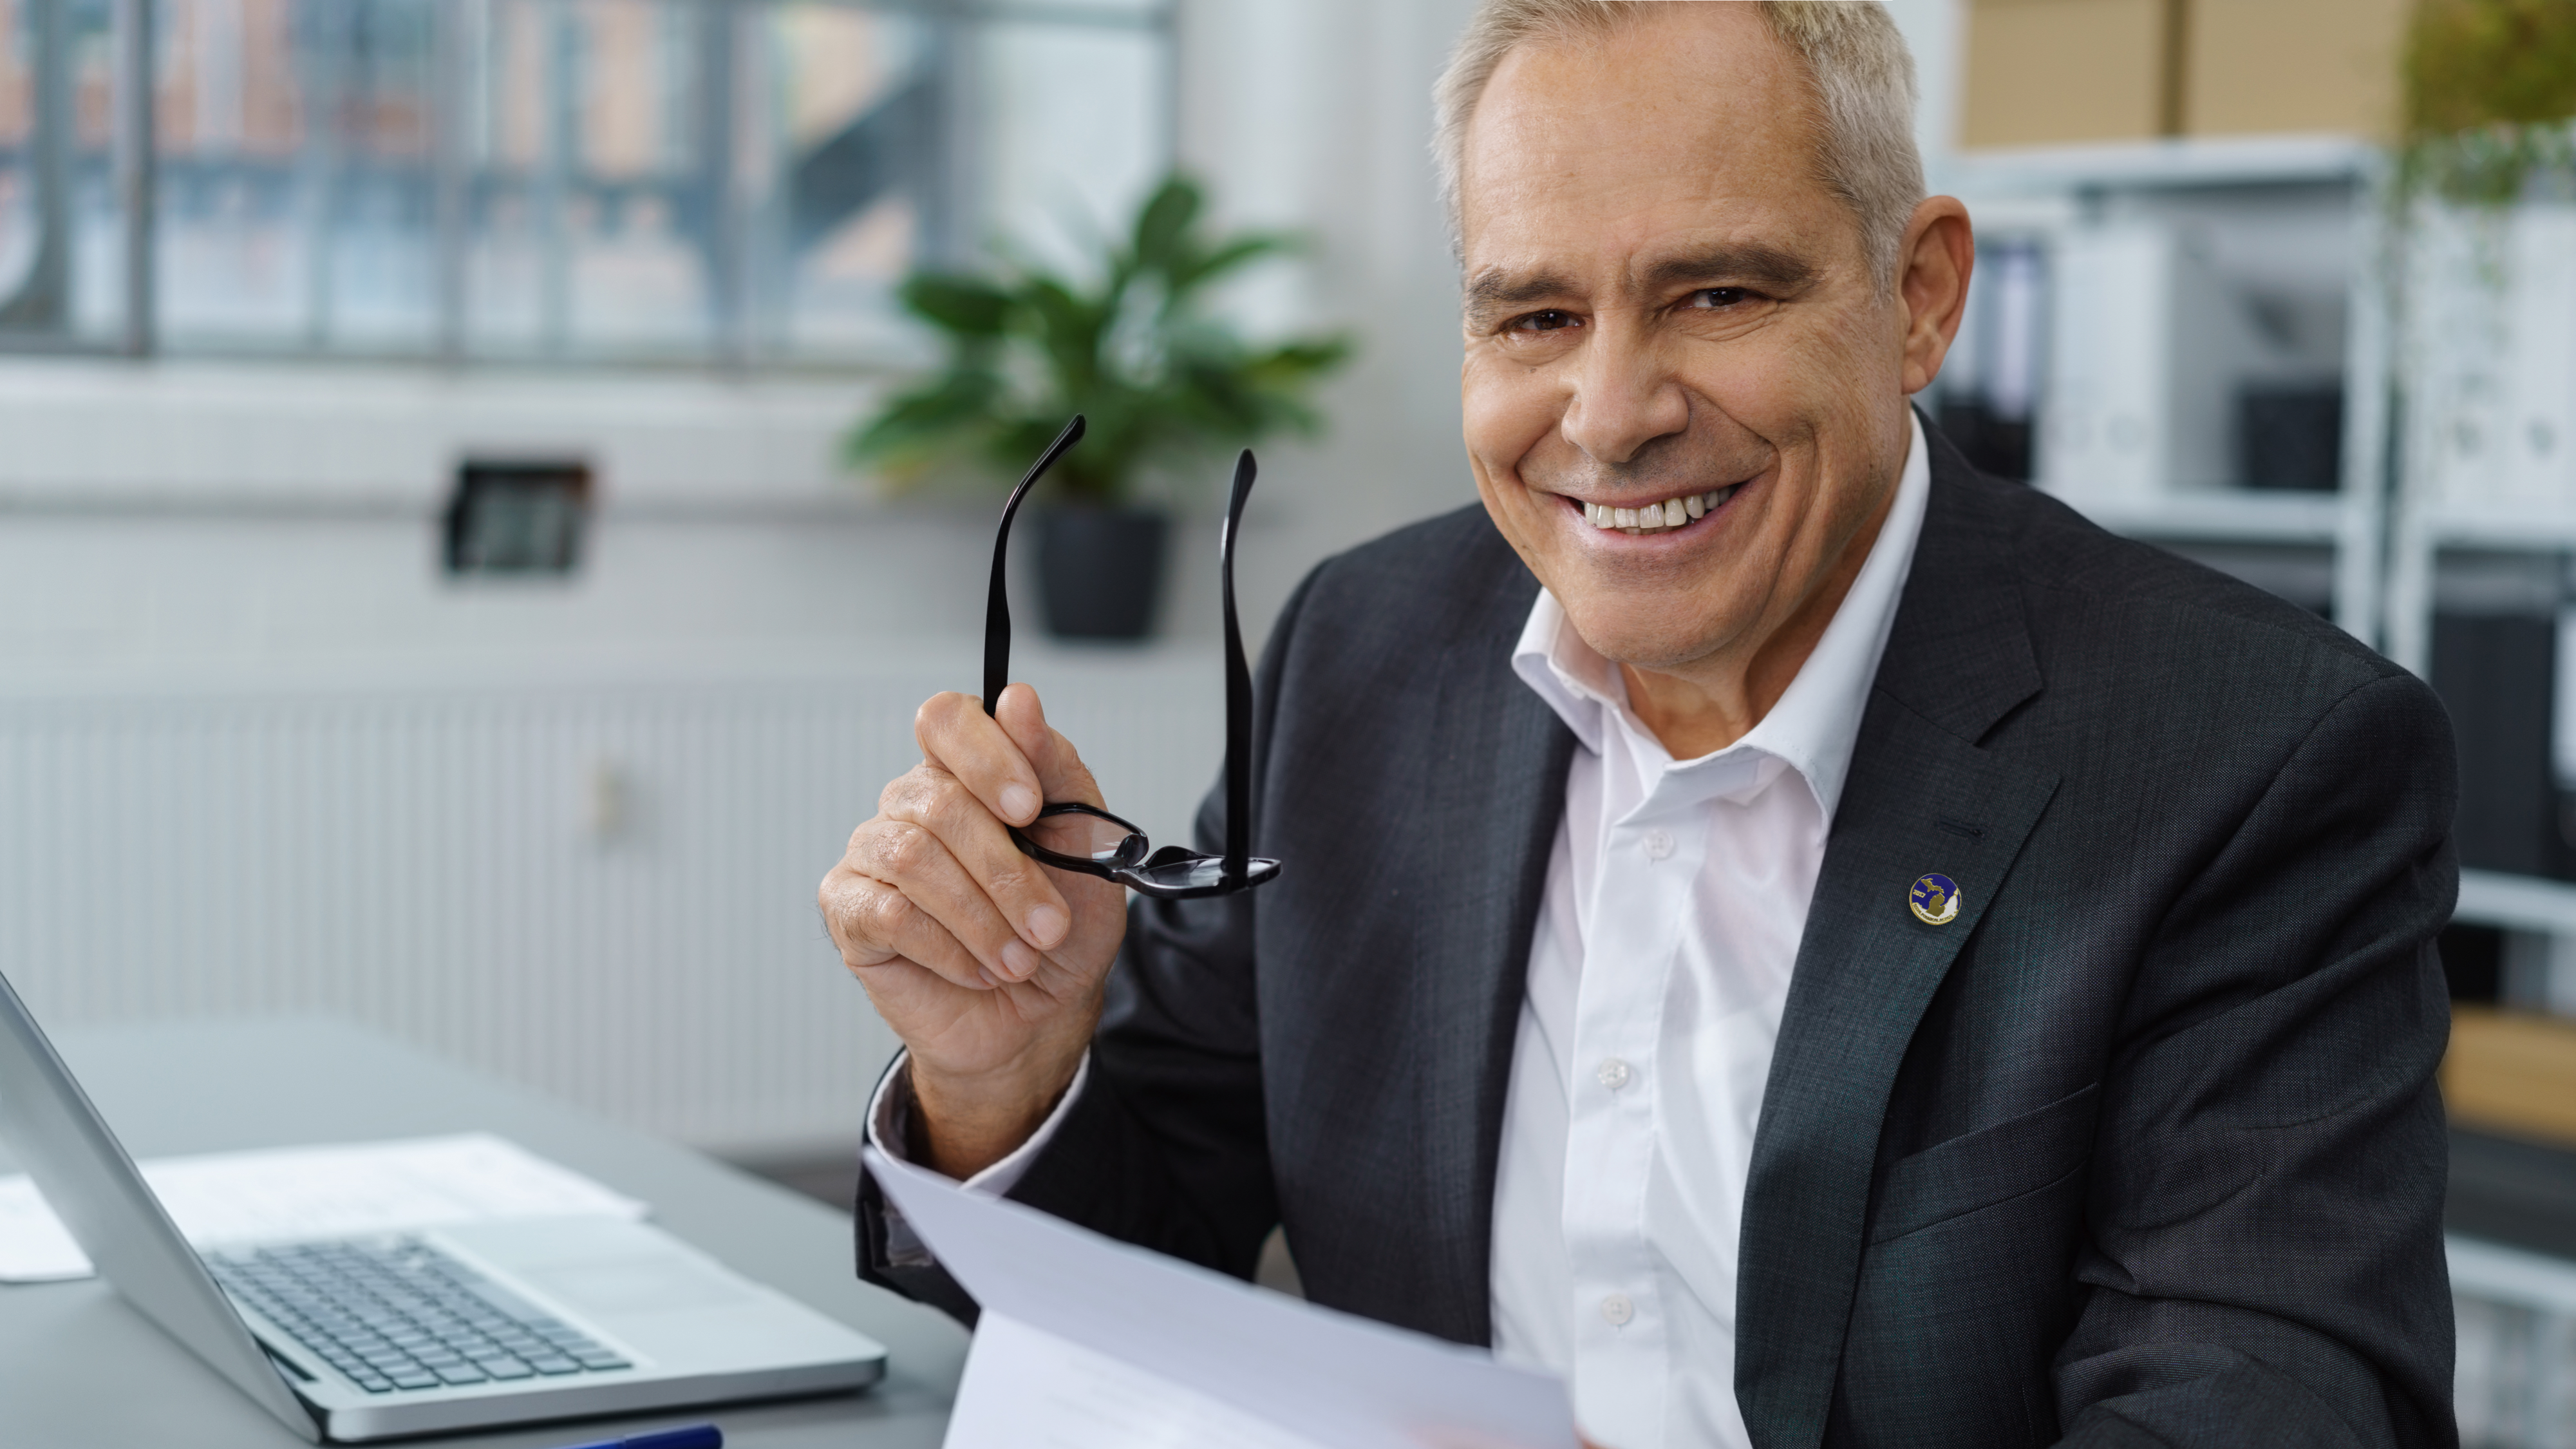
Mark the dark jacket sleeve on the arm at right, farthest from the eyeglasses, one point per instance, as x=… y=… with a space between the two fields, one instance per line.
x=2266 y=1231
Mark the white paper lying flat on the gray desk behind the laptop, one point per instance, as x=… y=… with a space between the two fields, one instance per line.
x=318 y=1192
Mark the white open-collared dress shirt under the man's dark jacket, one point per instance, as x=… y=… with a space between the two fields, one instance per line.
x=1629 y=1125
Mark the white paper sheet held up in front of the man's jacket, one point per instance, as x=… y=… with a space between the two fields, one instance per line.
x=1094 y=1345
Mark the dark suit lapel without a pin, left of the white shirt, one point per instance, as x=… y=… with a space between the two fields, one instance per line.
x=1490 y=811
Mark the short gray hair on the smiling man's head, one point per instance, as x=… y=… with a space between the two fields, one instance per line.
x=1856 y=61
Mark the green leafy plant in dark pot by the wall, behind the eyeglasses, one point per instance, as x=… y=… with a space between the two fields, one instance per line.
x=1137 y=352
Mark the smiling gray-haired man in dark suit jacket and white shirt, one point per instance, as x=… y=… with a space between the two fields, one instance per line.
x=1802 y=940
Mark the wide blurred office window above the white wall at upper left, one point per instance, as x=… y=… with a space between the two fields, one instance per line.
x=694 y=182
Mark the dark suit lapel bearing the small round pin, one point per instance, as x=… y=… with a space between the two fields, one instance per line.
x=1920 y=798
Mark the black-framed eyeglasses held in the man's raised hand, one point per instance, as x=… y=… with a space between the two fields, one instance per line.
x=1119 y=850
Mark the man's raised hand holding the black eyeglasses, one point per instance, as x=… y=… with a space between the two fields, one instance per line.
x=983 y=960
